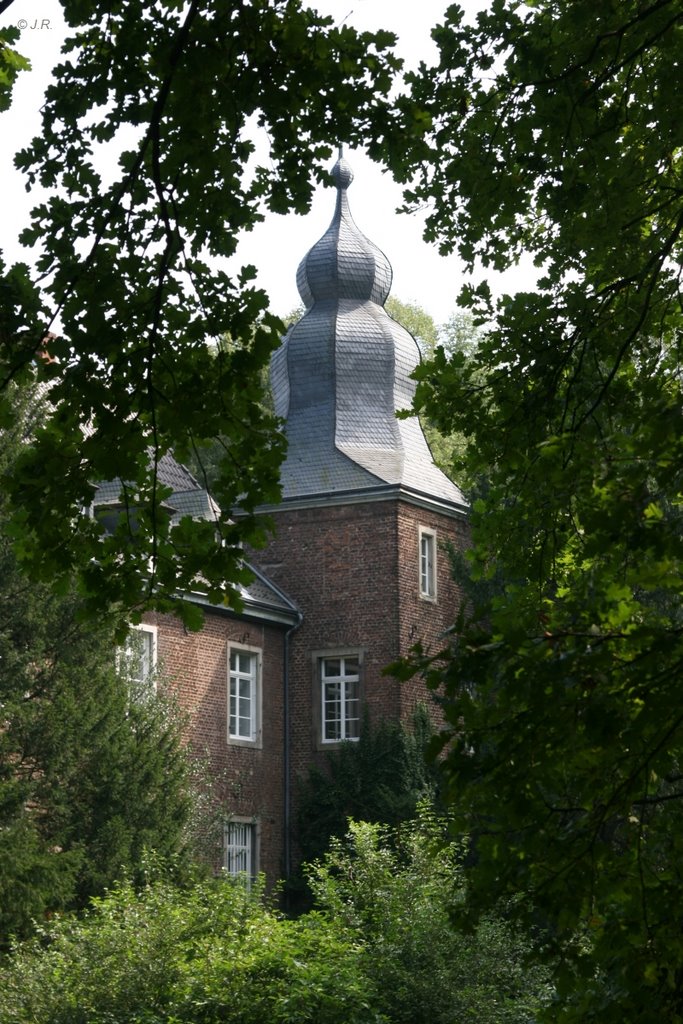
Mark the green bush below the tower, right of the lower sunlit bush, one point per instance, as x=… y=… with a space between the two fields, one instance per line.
x=398 y=891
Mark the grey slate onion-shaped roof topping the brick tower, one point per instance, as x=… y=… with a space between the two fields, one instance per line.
x=344 y=372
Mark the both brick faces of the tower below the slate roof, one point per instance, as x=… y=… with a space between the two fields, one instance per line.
x=354 y=572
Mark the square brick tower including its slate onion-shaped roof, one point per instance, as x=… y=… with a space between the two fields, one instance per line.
x=366 y=516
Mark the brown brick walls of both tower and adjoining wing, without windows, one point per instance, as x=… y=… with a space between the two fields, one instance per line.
x=354 y=572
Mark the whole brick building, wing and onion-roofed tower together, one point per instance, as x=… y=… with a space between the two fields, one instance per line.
x=356 y=573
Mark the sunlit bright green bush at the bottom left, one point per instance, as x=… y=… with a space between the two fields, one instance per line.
x=211 y=954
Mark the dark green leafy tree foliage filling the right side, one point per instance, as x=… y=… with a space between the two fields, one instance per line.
x=549 y=129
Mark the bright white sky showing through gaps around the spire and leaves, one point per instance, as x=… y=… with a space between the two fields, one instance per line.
x=276 y=247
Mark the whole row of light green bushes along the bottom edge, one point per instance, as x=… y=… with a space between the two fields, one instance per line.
x=380 y=951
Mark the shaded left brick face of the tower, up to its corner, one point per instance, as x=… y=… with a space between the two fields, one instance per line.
x=340 y=566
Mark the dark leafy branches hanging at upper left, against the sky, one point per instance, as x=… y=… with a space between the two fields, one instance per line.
x=133 y=268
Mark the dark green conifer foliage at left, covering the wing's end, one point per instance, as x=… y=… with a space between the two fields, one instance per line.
x=92 y=775
